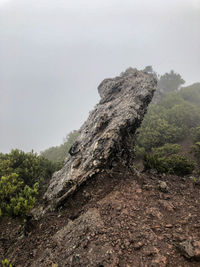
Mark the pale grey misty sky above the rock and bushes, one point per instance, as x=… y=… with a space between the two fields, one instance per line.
x=54 y=53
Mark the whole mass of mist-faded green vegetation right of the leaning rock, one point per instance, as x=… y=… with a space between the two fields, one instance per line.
x=173 y=116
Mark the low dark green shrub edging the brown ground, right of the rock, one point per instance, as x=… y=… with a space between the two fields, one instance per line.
x=175 y=164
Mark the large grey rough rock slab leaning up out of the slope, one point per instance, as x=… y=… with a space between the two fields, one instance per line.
x=107 y=137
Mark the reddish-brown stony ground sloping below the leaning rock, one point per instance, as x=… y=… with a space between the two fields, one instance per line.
x=121 y=219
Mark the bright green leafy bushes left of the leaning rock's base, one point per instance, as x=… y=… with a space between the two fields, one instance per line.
x=20 y=176
